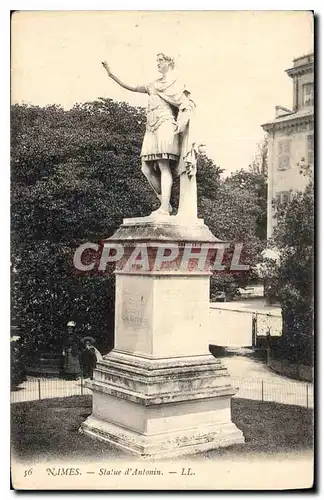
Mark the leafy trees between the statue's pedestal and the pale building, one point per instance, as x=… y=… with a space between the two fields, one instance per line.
x=237 y=212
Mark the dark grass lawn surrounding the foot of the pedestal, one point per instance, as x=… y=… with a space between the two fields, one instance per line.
x=48 y=430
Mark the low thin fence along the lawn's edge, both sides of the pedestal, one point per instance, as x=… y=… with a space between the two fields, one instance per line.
x=282 y=391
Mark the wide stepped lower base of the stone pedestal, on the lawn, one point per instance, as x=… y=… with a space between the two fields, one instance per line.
x=162 y=407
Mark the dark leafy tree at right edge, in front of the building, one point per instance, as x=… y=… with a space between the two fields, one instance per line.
x=292 y=275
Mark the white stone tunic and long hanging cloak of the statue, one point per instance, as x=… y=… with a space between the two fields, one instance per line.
x=177 y=143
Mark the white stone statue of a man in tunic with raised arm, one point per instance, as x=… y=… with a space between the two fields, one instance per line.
x=166 y=143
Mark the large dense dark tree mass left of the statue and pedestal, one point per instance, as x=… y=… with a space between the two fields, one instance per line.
x=74 y=175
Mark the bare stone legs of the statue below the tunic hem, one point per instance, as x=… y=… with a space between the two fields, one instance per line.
x=157 y=181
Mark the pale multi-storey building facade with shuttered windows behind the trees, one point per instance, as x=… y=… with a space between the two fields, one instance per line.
x=291 y=139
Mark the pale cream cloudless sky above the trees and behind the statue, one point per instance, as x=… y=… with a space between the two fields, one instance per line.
x=233 y=62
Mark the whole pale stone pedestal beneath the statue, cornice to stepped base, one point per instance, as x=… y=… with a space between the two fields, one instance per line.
x=160 y=392
